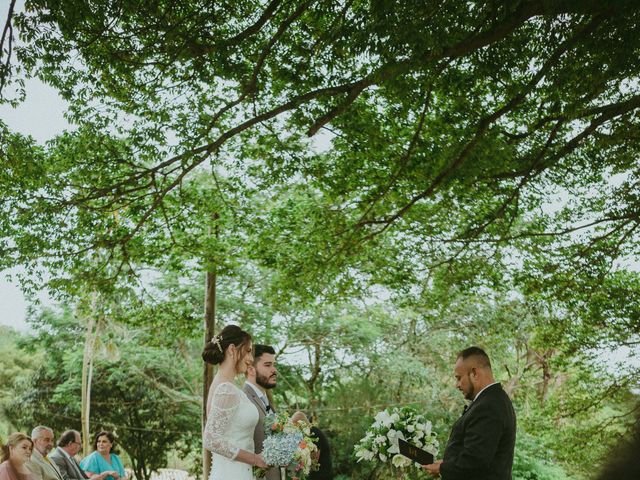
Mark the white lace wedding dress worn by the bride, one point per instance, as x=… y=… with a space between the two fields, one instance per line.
x=230 y=426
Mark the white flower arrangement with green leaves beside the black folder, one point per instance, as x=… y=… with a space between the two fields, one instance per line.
x=380 y=443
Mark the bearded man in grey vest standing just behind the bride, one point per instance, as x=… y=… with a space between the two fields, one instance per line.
x=262 y=376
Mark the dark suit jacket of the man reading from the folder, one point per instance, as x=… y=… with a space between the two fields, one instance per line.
x=482 y=441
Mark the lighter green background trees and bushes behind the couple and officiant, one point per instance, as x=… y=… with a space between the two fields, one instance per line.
x=341 y=362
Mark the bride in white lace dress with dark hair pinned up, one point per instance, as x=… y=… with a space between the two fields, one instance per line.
x=231 y=416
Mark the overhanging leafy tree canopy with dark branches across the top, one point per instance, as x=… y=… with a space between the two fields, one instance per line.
x=465 y=118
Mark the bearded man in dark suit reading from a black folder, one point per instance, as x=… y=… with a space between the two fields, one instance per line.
x=482 y=441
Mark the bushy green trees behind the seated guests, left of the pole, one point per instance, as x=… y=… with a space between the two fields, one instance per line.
x=148 y=396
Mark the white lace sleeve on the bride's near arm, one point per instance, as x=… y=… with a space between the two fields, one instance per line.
x=225 y=402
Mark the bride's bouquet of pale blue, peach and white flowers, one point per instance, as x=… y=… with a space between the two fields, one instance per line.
x=289 y=445
